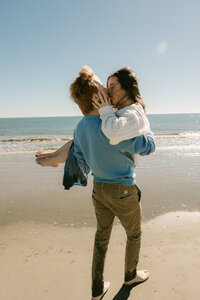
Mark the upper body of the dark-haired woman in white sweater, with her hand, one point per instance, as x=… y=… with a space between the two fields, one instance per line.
x=130 y=119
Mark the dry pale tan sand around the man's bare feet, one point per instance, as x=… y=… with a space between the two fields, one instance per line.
x=41 y=261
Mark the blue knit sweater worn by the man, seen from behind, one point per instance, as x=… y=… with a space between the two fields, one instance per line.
x=109 y=163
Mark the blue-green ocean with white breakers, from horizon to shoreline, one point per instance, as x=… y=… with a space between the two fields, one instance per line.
x=174 y=133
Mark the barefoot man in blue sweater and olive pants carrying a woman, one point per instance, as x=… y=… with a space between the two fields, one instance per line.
x=115 y=192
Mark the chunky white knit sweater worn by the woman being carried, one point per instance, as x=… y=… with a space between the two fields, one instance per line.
x=124 y=124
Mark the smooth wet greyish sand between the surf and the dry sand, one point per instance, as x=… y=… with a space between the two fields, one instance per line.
x=33 y=193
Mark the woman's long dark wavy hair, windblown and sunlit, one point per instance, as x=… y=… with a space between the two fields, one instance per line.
x=129 y=82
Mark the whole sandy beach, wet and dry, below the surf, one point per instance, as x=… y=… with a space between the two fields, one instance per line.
x=46 y=233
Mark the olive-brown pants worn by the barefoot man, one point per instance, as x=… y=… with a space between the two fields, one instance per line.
x=122 y=201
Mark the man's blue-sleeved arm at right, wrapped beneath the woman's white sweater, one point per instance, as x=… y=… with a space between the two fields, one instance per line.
x=143 y=145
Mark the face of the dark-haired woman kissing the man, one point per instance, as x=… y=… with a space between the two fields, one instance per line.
x=115 y=90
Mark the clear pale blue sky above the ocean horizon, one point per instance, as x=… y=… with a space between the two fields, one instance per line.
x=44 y=43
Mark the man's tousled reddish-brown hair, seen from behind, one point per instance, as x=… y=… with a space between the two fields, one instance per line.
x=83 y=88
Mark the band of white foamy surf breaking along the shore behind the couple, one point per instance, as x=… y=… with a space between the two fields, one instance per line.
x=175 y=142
